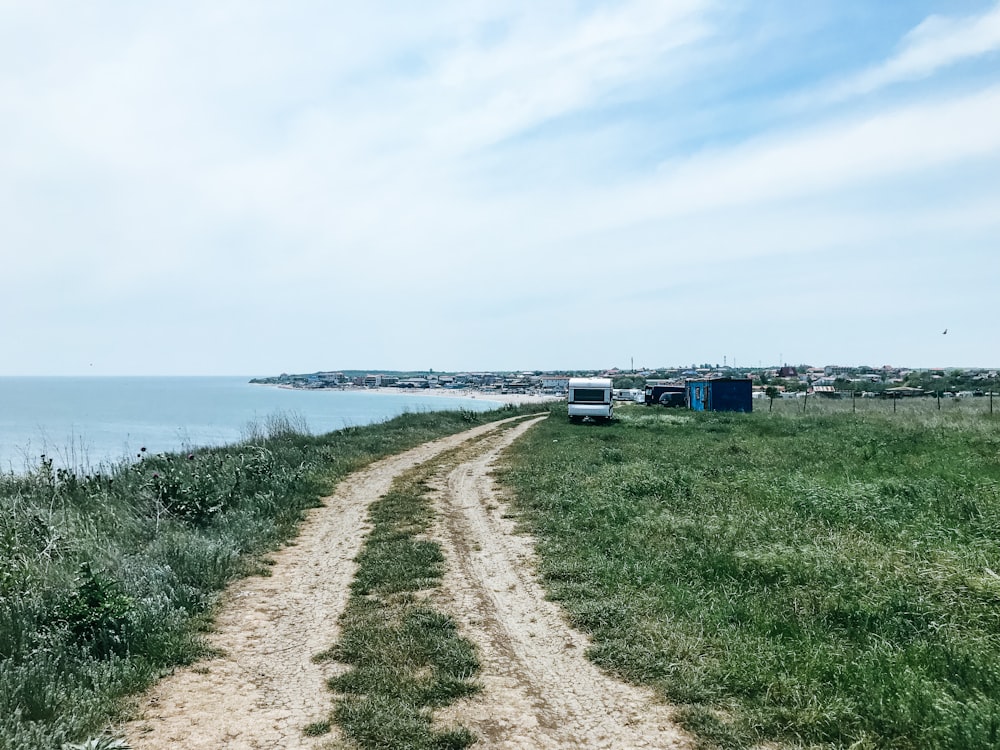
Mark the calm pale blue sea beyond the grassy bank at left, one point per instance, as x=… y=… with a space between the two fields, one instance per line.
x=82 y=422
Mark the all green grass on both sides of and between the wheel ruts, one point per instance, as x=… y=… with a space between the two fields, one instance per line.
x=823 y=575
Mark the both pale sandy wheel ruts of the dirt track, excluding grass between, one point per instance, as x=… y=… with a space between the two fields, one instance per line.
x=264 y=687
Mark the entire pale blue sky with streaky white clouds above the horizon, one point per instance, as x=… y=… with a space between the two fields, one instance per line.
x=249 y=187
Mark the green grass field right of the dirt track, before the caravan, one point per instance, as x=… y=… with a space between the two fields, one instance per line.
x=816 y=579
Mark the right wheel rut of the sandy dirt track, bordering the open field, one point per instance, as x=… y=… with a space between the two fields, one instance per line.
x=539 y=691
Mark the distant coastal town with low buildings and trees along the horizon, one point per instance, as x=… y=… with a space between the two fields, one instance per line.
x=831 y=381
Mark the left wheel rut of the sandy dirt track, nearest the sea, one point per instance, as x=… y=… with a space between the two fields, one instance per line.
x=264 y=688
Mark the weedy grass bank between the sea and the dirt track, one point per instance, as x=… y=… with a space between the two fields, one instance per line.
x=106 y=578
